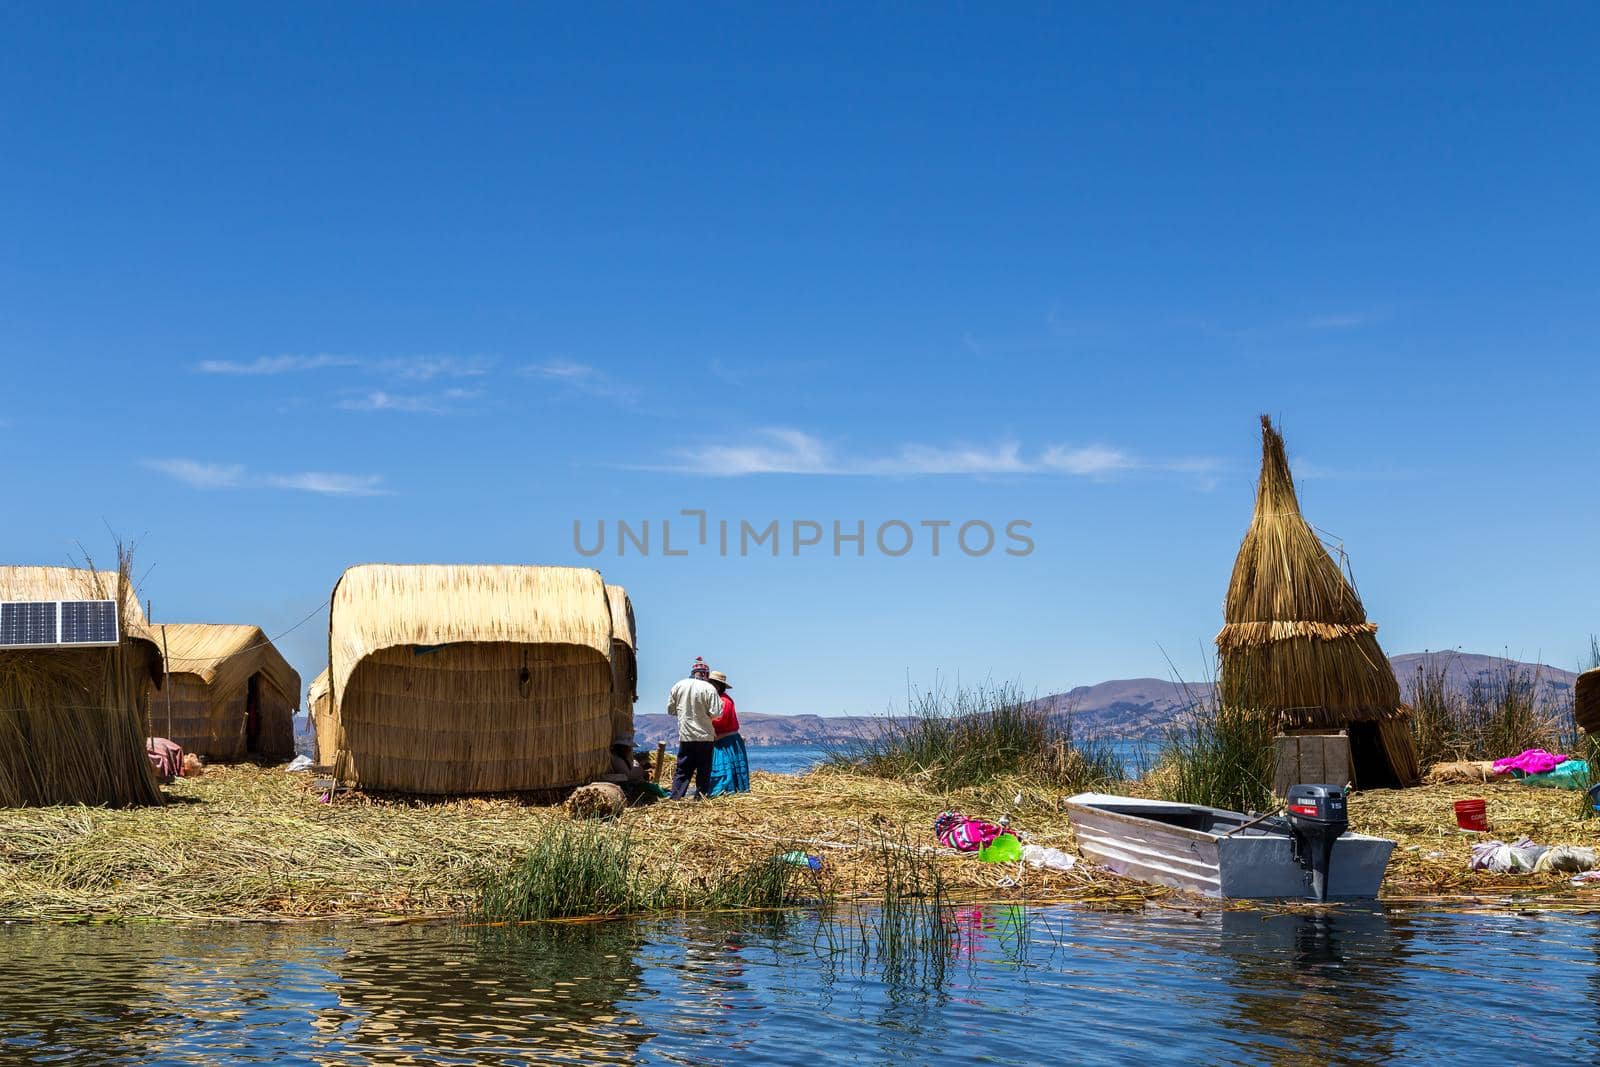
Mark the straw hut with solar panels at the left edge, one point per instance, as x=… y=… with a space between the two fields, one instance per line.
x=73 y=721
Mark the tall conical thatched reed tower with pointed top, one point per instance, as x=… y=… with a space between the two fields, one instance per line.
x=1298 y=644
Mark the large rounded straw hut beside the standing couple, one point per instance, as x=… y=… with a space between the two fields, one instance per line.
x=471 y=679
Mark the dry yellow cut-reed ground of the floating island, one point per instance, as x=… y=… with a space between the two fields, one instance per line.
x=262 y=845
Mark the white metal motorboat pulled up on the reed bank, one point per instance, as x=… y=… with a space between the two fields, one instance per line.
x=1220 y=853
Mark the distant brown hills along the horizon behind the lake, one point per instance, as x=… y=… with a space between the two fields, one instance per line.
x=1129 y=708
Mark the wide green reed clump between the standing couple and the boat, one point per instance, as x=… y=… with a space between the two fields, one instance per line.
x=961 y=737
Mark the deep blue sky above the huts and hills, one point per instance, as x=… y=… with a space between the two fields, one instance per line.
x=294 y=287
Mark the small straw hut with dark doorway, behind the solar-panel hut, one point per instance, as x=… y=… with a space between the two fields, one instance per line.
x=230 y=693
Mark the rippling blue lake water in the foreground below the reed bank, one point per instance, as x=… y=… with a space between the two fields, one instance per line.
x=1049 y=986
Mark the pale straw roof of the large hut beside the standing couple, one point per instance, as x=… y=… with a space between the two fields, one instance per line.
x=388 y=605
